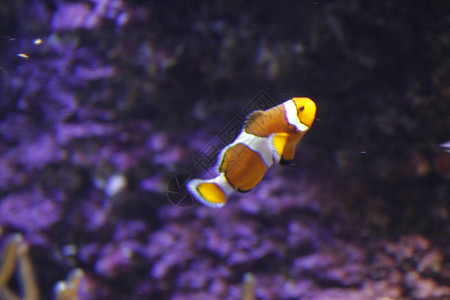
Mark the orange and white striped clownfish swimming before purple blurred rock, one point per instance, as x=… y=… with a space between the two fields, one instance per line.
x=267 y=138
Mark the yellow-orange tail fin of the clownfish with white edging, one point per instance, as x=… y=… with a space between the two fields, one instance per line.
x=212 y=192
